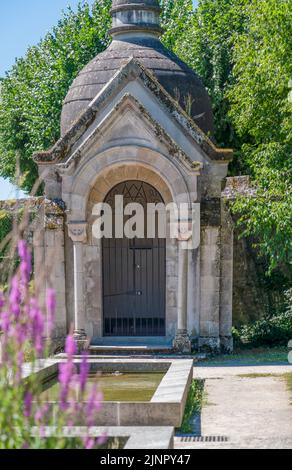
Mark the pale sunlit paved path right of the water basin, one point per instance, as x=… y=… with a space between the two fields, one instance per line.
x=243 y=412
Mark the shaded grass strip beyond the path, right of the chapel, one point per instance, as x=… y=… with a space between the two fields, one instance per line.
x=251 y=357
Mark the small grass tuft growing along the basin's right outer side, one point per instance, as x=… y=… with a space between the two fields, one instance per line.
x=195 y=401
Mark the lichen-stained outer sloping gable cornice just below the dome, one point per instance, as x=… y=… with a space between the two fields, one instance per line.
x=130 y=72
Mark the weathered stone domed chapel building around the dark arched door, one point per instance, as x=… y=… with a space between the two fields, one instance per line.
x=136 y=124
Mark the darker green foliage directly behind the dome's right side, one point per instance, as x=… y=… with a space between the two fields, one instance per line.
x=207 y=46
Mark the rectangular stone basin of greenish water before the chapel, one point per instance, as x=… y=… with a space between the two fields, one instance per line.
x=138 y=393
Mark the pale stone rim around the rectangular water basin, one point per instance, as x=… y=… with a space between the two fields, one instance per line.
x=166 y=407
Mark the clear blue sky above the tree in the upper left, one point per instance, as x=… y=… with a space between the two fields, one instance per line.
x=22 y=24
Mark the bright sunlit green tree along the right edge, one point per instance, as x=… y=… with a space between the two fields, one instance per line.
x=261 y=113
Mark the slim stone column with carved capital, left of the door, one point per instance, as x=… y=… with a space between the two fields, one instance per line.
x=78 y=234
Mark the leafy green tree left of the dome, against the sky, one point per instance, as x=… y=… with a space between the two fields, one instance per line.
x=33 y=90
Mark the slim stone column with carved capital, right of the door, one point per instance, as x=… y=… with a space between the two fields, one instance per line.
x=182 y=341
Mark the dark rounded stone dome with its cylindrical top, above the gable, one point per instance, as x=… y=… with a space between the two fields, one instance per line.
x=137 y=38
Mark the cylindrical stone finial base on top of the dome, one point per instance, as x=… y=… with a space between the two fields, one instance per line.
x=135 y=16
